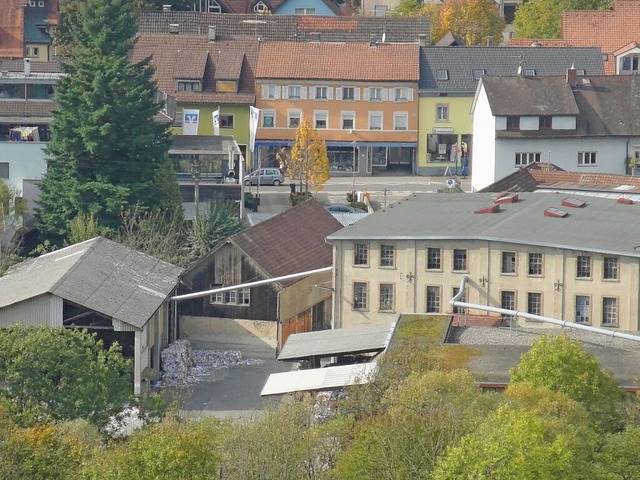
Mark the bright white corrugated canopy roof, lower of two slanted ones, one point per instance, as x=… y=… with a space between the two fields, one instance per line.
x=328 y=378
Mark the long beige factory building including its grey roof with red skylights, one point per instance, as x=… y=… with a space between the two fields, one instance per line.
x=545 y=254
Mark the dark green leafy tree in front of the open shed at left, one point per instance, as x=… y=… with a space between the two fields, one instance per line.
x=61 y=374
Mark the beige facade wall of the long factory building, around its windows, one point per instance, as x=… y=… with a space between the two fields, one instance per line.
x=558 y=284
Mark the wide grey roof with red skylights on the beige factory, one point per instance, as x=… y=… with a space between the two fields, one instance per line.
x=601 y=225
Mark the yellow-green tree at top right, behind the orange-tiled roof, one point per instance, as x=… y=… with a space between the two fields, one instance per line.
x=543 y=18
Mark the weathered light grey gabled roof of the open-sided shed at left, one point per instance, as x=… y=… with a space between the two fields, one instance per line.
x=98 y=274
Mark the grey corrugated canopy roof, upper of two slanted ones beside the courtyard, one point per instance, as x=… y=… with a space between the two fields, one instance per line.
x=360 y=339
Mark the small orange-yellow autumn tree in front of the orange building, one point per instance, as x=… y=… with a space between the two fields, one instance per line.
x=308 y=162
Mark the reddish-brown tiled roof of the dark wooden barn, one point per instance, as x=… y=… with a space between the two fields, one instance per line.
x=297 y=234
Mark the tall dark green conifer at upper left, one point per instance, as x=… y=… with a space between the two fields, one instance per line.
x=106 y=150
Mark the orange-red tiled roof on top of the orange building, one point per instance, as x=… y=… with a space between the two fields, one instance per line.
x=339 y=61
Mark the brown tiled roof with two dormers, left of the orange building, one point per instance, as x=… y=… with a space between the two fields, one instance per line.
x=175 y=56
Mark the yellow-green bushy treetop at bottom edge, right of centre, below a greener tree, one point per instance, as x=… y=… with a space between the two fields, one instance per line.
x=520 y=445
